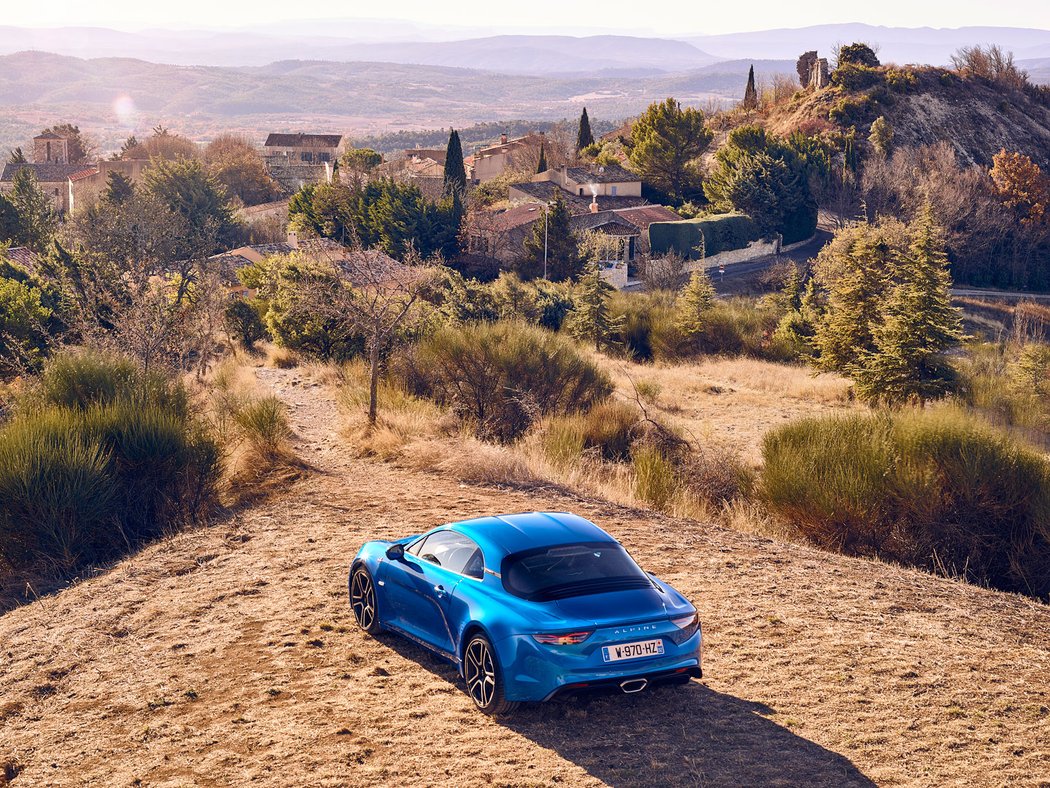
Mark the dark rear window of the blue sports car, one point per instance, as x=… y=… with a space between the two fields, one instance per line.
x=544 y=574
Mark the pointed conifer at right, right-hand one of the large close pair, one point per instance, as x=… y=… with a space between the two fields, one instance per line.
x=919 y=325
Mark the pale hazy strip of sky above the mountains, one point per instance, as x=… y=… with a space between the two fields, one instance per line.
x=669 y=17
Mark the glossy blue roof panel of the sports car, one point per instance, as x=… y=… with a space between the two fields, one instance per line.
x=507 y=534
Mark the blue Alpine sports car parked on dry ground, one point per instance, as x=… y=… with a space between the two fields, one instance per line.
x=529 y=607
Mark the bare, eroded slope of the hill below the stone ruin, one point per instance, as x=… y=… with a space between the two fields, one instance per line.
x=977 y=118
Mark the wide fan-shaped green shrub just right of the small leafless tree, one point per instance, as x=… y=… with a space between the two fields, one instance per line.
x=501 y=378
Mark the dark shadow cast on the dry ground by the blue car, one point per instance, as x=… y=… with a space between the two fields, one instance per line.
x=671 y=736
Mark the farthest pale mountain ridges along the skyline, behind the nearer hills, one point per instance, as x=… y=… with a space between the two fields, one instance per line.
x=394 y=43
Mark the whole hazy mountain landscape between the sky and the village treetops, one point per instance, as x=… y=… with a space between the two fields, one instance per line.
x=367 y=78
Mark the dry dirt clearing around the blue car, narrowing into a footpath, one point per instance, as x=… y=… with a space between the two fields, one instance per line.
x=228 y=657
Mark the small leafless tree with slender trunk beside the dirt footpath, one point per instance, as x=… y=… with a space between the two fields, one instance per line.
x=373 y=294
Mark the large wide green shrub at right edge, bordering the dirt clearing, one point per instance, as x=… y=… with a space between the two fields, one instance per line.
x=936 y=490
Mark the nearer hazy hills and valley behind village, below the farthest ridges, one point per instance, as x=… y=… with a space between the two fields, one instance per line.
x=361 y=98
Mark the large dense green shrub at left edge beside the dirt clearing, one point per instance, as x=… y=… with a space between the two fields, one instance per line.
x=99 y=458
